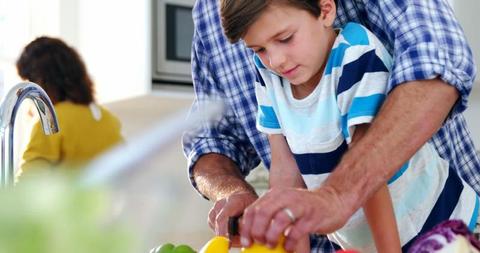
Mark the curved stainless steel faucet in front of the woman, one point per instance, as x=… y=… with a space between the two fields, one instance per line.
x=8 y=112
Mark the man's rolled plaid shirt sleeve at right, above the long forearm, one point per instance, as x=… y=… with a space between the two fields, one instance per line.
x=428 y=42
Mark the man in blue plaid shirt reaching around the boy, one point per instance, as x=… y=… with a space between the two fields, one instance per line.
x=430 y=82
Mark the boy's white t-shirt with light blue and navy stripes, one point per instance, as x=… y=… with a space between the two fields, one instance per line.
x=319 y=127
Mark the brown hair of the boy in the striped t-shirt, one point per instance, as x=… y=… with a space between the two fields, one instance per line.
x=238 y=15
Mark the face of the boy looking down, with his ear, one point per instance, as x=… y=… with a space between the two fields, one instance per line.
x=292 y=42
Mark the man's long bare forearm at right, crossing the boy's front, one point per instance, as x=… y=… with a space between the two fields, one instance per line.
x=412 y=113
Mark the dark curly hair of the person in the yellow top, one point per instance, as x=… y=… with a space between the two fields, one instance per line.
x=58 y=69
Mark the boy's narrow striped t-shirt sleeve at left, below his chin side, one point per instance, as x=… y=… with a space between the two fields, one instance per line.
x=267 y=121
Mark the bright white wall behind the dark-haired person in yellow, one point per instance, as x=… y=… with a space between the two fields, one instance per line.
x=113 y=36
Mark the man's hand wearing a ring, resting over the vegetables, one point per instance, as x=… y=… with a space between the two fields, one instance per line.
x=297 y=211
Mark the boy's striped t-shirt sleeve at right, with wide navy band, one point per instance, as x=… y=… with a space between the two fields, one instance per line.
x=363 y=83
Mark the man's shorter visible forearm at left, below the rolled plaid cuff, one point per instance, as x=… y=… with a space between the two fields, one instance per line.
x=217 y=177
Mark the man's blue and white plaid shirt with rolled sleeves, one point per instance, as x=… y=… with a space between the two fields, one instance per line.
x=423 y=36
